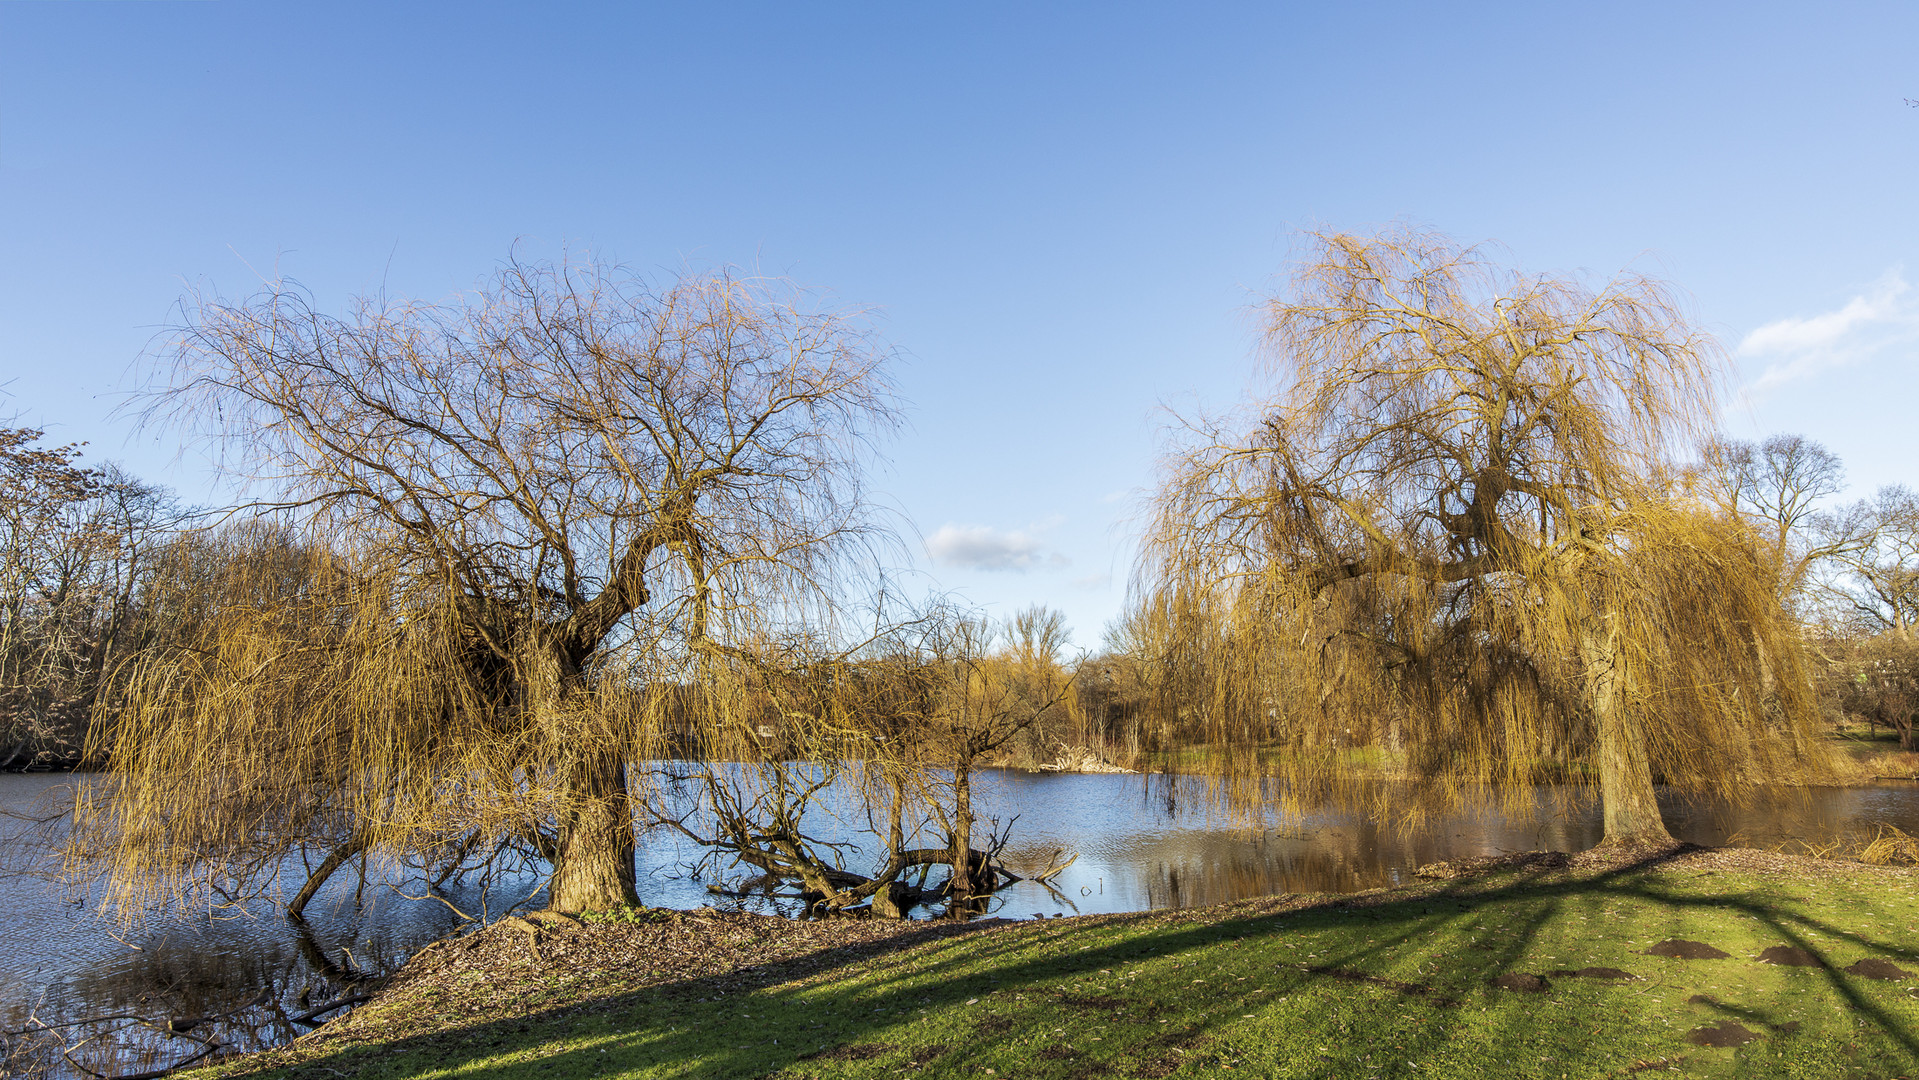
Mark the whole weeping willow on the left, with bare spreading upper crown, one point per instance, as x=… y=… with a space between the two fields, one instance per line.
x=546 y=511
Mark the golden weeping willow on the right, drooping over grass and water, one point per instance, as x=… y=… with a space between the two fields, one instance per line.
x=1454 y=532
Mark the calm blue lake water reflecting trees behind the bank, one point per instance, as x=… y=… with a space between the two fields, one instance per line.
x=62 y=960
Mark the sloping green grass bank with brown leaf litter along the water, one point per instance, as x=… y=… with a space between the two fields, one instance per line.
x=1705 y=962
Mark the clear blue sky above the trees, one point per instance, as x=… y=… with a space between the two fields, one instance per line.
x=1060 y=216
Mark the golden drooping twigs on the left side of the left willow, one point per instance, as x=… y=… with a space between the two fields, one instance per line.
x=291 y=707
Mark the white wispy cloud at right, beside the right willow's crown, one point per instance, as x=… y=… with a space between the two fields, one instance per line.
x=1882 y=317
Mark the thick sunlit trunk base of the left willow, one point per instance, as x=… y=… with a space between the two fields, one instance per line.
x=594 y=866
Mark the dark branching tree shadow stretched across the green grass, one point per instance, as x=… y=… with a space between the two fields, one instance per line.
x=882 y=1004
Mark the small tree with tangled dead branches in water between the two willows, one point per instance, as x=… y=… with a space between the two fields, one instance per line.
x=893 y=734
